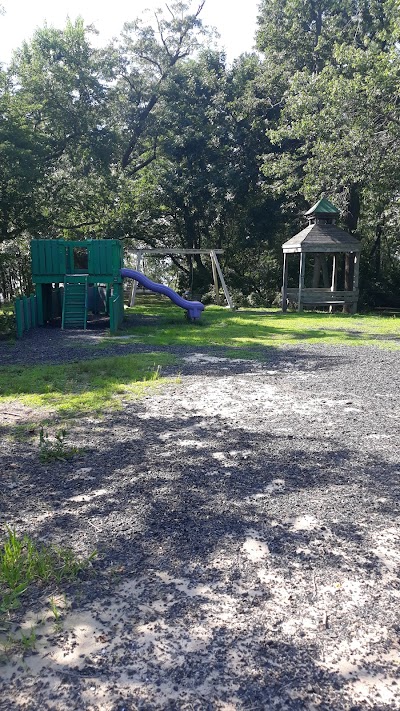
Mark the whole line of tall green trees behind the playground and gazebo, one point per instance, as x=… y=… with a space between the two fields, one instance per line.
x=156 y=140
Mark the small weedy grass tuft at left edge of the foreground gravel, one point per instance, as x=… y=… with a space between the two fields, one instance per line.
x=24 y=563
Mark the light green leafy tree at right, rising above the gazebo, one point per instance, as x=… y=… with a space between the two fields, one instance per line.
x=338 y=126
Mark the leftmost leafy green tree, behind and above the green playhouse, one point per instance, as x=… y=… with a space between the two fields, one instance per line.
x=55 y=140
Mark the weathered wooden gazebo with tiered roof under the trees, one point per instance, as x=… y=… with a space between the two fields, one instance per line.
x=330 y=249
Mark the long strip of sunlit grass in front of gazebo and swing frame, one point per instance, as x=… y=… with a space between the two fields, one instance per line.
x=252 y=329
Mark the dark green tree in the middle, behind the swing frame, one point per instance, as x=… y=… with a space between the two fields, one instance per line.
x=205 y=189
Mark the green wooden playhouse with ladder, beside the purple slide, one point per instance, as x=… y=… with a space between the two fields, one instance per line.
x=71 y=279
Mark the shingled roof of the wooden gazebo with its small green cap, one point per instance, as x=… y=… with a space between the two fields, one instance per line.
x=322 y=238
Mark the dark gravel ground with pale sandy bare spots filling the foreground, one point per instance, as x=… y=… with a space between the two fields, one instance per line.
x=246 y=523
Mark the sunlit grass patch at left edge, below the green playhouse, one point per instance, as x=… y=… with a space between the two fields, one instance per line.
x=89 y=386
